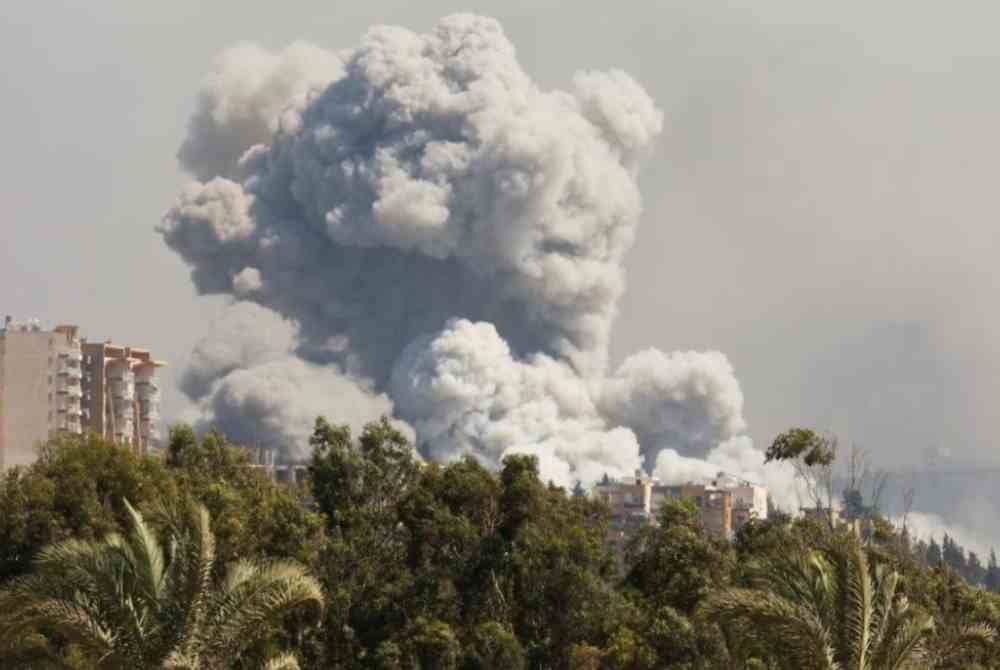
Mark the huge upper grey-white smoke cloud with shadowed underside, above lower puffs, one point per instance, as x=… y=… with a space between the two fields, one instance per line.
x=433 y=156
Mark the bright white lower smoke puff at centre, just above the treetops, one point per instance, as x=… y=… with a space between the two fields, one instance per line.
x=464 y=393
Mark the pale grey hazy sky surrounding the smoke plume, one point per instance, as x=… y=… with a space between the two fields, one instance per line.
x=820 y=208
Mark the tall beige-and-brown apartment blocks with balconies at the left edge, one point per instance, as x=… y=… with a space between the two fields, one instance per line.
x=51 y=381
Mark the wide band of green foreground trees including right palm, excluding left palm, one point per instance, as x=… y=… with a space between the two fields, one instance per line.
x=458 y=567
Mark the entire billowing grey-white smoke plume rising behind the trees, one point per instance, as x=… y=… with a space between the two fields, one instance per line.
x=416 y=220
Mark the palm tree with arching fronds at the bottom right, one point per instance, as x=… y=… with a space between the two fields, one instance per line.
x=827 y=608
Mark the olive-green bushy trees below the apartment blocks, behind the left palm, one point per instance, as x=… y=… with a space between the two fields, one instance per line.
x=74 y=490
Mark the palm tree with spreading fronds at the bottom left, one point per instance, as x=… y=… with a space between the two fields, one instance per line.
x=130 y=601
